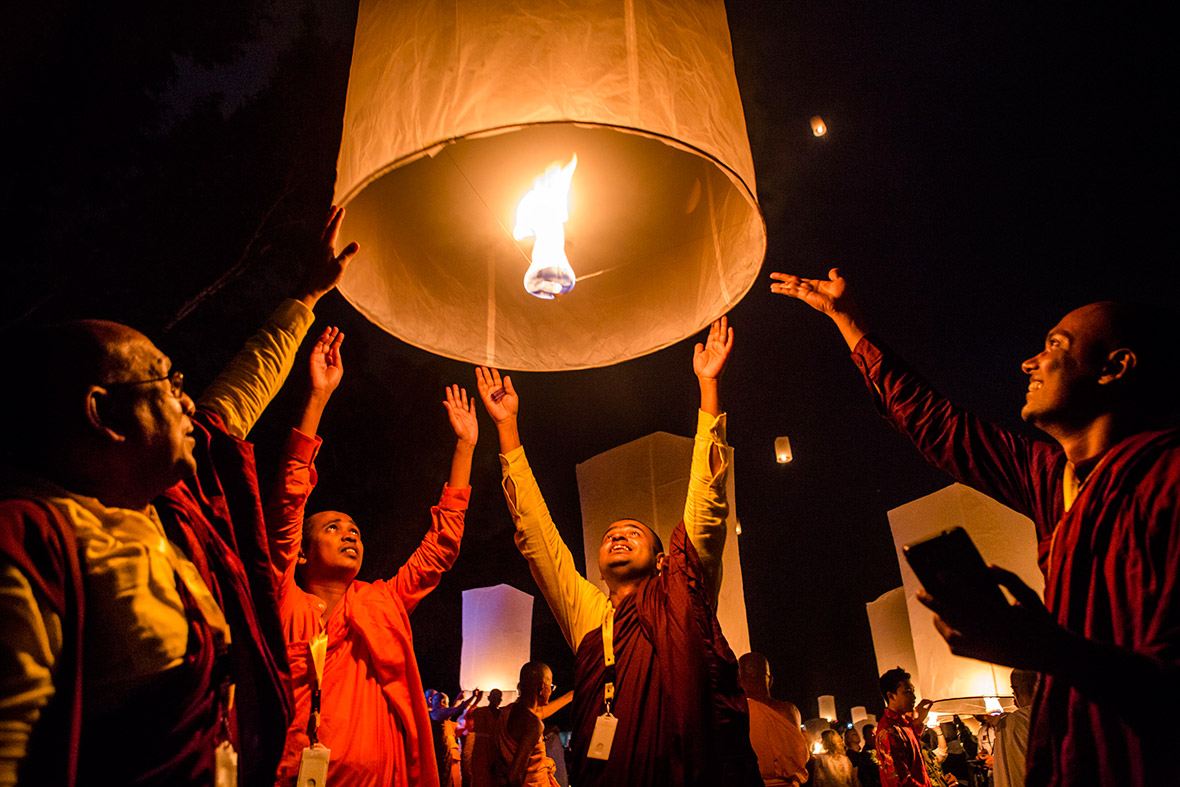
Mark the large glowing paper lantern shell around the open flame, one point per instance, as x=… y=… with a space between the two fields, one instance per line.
x=455 y=109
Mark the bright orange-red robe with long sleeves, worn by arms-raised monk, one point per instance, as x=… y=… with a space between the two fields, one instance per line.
x=373 y=707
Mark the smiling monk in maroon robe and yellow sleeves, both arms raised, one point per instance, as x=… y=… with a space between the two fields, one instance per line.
x=668 y=678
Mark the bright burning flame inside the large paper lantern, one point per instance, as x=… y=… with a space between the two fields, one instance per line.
x=542 y=214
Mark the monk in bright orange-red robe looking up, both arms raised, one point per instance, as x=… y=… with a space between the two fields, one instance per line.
x=373 y=713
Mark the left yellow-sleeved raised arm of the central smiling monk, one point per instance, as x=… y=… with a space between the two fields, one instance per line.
x=576 y=604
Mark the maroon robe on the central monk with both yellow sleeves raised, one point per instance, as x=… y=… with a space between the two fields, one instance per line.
x=683 y=717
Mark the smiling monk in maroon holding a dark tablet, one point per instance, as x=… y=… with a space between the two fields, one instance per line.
x=1104 y=496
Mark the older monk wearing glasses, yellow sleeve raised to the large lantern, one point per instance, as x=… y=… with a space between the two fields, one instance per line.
x=140 y=637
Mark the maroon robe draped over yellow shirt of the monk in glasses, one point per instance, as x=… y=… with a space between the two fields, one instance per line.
x=167 y=733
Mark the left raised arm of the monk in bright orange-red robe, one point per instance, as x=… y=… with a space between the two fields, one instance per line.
x=297 y=473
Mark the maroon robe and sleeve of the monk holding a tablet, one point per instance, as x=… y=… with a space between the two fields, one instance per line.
x=1112 y=567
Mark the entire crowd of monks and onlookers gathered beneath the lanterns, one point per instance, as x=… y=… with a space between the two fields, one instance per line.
x=167 y=622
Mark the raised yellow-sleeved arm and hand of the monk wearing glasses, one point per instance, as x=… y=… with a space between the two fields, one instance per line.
x=254 y=377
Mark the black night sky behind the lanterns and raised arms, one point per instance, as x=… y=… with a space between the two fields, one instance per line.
x=988 y=168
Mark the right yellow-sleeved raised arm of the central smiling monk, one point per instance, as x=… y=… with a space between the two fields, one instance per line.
x=706 y=508
